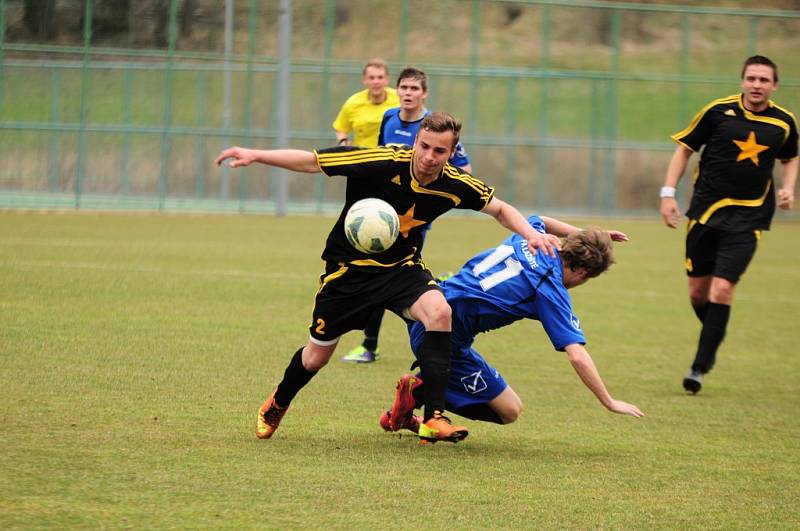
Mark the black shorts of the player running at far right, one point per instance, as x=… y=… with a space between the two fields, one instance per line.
x=711 y=251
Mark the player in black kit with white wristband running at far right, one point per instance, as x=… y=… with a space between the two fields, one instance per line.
x=733 y=198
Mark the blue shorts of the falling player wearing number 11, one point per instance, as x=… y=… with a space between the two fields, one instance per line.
x=472 y=380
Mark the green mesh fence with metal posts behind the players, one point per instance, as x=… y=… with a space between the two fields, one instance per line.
x=567 y=106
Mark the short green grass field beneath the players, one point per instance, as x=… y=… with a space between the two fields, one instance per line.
x=135 y=351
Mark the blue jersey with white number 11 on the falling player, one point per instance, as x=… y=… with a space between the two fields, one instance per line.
x=508 y=283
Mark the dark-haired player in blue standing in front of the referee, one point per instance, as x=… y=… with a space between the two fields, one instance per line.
x=400 y=126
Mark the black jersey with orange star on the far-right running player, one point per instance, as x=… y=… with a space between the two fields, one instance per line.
x=733 y=187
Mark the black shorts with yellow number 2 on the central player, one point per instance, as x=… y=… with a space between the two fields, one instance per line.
x=348 y=295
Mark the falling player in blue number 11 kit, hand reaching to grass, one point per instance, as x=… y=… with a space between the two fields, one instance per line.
x=496 y=288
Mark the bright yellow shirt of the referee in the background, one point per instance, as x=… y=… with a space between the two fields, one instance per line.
x=360 y=115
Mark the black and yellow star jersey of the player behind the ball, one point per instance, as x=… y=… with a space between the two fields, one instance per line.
x=387 y=173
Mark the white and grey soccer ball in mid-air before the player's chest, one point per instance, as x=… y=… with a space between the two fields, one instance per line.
x=371 y=225
